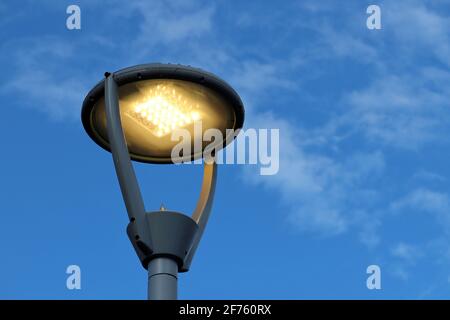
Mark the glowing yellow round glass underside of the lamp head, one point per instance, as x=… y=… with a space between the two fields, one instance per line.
x=151 y=110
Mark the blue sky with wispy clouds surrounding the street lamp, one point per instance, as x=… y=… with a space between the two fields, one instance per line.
x=364 y=120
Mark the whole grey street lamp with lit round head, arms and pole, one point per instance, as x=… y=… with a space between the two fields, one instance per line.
x=132 y=113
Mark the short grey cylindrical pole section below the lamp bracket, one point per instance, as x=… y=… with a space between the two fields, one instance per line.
x=162 y=279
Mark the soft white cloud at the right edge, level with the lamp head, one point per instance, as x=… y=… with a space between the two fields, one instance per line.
x=403 y=111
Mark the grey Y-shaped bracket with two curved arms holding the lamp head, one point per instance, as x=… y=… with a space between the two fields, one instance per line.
x=161 y=233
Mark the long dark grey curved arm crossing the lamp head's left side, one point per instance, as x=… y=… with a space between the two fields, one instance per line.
x=122 y=162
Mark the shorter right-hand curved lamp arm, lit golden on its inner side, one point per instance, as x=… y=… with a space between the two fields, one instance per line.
x=204 y=205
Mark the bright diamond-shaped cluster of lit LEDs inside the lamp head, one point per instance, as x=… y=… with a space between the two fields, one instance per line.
x=162 y=110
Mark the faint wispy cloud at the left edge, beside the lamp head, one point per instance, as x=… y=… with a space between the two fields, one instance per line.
x=39 y=81
